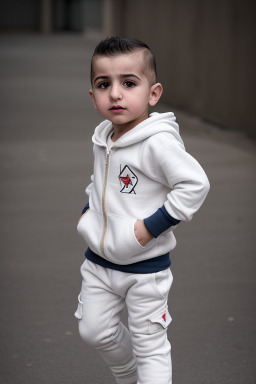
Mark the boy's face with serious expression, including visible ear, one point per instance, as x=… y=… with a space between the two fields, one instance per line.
x=121 y=91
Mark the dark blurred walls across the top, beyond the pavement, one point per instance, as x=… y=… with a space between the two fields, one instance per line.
x=205 y=49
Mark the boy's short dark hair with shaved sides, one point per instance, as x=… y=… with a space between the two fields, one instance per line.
x=115 y=45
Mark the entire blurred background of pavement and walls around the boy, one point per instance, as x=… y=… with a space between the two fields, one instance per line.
x=205 y=53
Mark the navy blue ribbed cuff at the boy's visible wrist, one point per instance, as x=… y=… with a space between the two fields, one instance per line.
x=159 y=222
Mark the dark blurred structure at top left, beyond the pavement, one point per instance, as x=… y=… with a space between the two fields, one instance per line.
x=50 y=15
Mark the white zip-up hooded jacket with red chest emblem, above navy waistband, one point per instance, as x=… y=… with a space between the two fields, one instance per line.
x=147 y=168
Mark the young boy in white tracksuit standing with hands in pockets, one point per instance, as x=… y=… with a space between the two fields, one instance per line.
x=144 y=184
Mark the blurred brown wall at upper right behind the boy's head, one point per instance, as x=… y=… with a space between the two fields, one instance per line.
x=205 y=52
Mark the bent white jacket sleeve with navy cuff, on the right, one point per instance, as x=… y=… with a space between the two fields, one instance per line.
x=188 y=185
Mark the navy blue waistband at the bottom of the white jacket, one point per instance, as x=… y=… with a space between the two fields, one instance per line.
x=156 y=264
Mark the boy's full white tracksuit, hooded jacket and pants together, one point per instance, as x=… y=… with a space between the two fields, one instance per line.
x=147 y=168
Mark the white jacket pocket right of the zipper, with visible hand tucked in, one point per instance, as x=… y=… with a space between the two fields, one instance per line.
x=121 y=243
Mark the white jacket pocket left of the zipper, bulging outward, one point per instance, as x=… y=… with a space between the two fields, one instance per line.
x=90 y=228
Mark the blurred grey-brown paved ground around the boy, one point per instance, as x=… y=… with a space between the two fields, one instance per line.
x=46 y=125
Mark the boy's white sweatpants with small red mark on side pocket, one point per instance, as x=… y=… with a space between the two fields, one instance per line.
x=142 y=354
